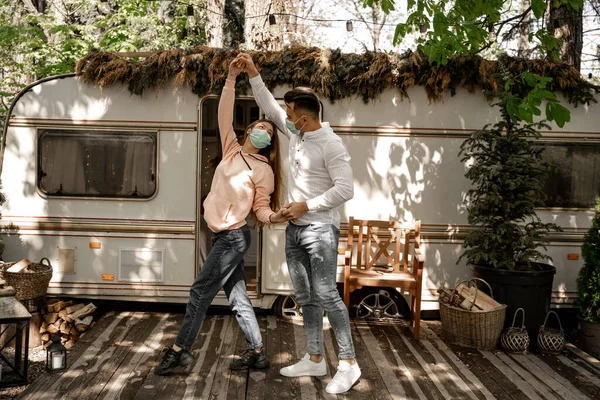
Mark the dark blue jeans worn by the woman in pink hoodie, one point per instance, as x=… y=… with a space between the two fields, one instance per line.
x=223 y=268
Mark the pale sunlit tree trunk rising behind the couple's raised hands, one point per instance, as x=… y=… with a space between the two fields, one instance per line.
x=259 y=35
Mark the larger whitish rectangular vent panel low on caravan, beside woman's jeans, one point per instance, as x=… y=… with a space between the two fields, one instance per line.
x=141 y=265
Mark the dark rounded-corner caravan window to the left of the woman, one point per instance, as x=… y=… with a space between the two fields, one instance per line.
x=86 y=163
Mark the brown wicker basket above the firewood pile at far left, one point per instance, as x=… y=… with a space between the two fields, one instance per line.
x=29 y=285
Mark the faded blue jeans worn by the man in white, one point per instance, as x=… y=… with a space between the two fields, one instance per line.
x=311 y=253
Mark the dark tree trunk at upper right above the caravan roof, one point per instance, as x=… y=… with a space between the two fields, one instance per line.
x=567 y=24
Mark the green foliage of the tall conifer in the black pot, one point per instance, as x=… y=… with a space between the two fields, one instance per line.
x=507 y=174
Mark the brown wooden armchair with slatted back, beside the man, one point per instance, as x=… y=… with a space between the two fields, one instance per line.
x=385 y=254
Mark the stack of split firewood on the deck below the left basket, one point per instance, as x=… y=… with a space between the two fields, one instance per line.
x=67 y=320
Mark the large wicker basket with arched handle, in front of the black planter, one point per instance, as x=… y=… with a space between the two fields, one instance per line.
x=476 y=329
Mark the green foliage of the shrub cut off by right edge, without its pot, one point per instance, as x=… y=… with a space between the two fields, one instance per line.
x=588 y=281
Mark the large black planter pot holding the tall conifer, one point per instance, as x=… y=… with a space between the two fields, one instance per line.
x=530 y=290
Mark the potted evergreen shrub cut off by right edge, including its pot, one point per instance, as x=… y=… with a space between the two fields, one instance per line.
x=588 y=287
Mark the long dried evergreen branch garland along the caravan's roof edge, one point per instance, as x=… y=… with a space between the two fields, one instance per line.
x=331 y=73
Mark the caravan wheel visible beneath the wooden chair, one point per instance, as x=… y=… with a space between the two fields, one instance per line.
x=371 y=302
